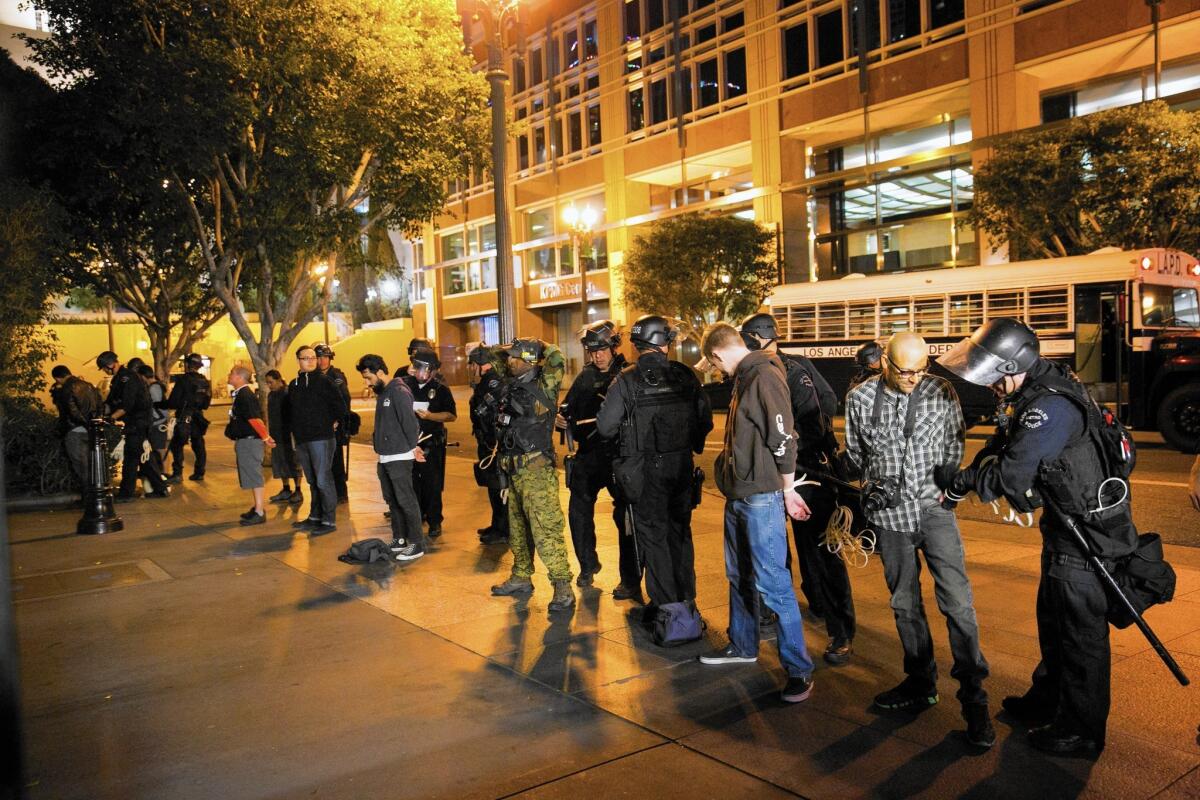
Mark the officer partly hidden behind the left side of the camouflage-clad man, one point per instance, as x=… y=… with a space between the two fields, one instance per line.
x=485 y=399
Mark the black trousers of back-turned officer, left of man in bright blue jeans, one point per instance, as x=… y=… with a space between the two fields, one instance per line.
x=663 y=530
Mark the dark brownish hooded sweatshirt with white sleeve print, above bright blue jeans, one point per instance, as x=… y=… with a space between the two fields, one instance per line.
x=760 y=444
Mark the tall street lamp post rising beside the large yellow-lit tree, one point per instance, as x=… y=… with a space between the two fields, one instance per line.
x=496 y=15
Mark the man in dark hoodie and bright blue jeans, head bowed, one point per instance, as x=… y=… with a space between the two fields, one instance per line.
x=755 y=473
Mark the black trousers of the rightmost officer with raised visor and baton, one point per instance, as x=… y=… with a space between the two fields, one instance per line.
x=1076 y=675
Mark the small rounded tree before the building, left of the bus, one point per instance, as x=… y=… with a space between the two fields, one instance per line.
x=695 y=267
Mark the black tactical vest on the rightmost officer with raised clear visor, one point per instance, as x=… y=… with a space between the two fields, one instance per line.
x=1072 y=482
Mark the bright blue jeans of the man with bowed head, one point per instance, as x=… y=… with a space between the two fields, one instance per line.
x=757 y=564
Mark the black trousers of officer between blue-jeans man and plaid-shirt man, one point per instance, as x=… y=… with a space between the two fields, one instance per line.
x=825 y=580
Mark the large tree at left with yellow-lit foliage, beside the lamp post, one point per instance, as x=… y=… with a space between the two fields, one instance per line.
x=275 y=122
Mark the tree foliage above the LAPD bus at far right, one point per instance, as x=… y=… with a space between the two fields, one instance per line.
x=1124 y=178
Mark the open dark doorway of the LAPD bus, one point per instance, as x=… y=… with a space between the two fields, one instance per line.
x=1100 y=340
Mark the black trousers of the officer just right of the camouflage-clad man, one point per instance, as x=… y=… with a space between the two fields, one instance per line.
x=591 y=473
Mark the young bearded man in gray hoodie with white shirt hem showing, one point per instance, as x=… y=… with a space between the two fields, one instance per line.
x=397 y=431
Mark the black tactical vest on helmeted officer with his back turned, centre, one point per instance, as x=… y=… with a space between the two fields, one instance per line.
x=663 y=411
